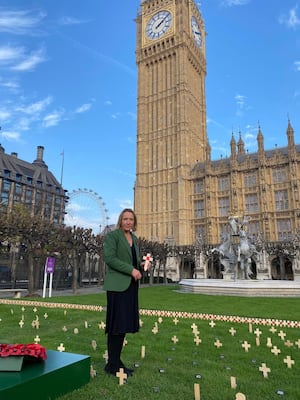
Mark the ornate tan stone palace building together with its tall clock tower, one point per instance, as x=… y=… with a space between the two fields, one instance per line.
x=180 y=192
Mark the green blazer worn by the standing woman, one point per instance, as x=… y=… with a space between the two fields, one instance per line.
x=118 y=259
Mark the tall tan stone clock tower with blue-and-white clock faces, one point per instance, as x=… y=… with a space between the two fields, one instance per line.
x=171 y=126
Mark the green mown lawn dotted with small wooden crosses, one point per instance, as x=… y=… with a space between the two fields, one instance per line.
x=170 y=370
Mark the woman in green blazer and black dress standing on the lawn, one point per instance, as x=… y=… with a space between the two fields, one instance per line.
x=122 y=257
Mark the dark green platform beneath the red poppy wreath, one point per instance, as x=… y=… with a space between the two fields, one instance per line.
x=61 y=373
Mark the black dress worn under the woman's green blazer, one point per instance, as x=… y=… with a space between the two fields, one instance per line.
x=122 y=314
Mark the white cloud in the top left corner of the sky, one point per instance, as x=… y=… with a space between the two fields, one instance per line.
x=19 y=22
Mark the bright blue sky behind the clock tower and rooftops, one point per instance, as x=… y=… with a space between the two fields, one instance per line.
x=68 y=82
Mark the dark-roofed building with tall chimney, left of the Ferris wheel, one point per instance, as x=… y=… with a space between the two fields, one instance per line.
x=32 y=185
